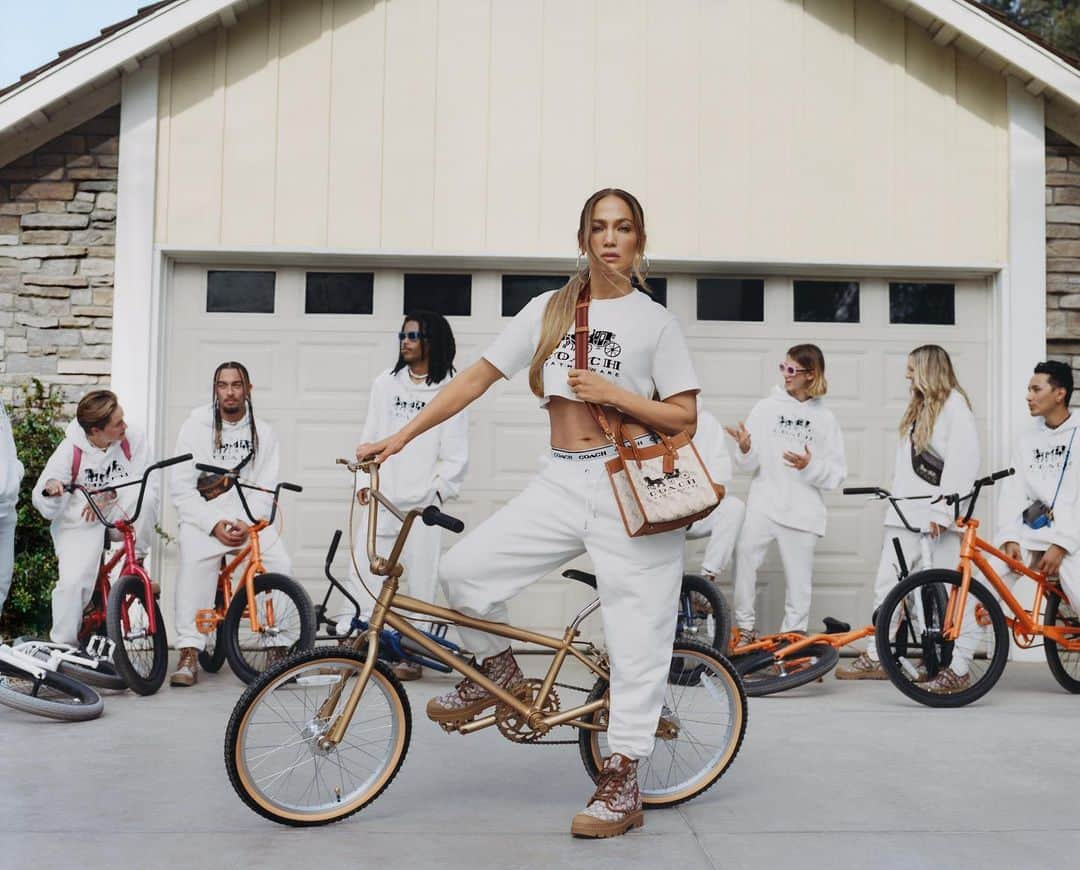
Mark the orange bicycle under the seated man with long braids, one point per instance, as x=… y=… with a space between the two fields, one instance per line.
x=282 y=620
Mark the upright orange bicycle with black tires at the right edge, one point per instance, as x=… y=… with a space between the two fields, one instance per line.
x=921 y=627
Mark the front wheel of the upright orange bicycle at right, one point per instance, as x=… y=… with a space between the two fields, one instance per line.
x=913 y=650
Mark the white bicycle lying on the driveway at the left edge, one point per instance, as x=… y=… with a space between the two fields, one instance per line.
x=33 y=684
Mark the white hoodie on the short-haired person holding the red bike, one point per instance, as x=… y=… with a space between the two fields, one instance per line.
x=97 y=470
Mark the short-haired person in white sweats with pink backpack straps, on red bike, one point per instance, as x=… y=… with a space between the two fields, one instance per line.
x=99 y=451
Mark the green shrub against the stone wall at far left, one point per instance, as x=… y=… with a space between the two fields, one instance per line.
x=37 y=427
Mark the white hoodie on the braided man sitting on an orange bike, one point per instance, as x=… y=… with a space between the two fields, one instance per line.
x=197 y=438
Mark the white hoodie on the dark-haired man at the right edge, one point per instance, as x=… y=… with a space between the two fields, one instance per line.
x=1038 y=458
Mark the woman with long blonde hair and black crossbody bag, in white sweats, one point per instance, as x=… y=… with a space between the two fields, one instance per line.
x=938 y=455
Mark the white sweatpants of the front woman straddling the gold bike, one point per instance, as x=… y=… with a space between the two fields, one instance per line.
x=569 y=510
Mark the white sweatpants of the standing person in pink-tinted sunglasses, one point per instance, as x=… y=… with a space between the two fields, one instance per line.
x=796 y=555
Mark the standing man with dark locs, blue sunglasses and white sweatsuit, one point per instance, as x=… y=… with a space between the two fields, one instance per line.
x=435 y=468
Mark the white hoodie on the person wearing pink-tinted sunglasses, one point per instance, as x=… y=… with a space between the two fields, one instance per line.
x=786 y=495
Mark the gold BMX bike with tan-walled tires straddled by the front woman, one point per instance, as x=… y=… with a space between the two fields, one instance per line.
x=320 y=736
